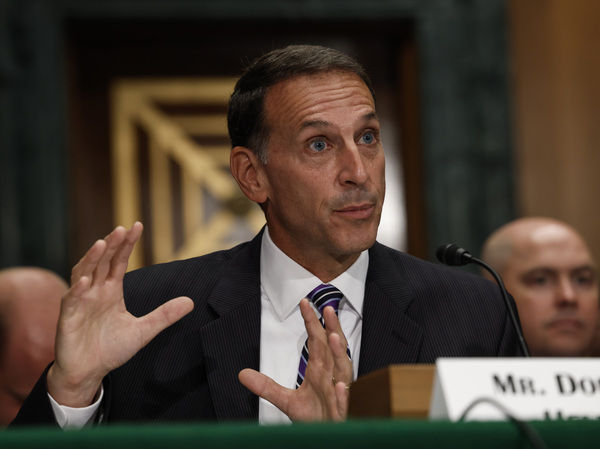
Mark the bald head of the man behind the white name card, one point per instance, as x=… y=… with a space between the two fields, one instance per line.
x=548 y=268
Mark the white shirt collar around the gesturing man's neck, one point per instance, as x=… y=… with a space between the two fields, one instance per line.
x=285 y=282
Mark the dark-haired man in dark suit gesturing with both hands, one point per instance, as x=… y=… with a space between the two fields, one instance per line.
x=306 y=148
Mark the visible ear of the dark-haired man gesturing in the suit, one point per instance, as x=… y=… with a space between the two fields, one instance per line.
x=248 y=172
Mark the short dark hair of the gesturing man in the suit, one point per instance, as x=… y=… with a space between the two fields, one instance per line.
x=246 y=117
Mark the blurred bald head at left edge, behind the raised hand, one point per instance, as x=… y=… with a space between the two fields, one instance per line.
x=29 y=307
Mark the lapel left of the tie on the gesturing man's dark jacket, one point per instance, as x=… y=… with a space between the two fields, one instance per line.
x=232 y=341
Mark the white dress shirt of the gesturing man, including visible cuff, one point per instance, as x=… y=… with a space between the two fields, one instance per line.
x=283 y=284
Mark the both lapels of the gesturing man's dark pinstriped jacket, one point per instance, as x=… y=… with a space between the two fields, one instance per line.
x=231 y=342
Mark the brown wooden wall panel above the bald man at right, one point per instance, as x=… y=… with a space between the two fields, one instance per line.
x=555 y=111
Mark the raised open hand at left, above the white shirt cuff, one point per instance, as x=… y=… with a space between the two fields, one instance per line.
x=96 y=333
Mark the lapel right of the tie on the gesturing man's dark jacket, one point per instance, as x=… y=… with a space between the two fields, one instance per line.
x=389 y=335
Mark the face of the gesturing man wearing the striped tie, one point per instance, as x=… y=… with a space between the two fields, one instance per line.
x=324 y=178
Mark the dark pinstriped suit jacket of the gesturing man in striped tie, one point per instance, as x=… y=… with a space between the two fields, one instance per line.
x=414 y=312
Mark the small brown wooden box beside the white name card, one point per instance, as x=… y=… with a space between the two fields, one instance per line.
x=399 y=391
